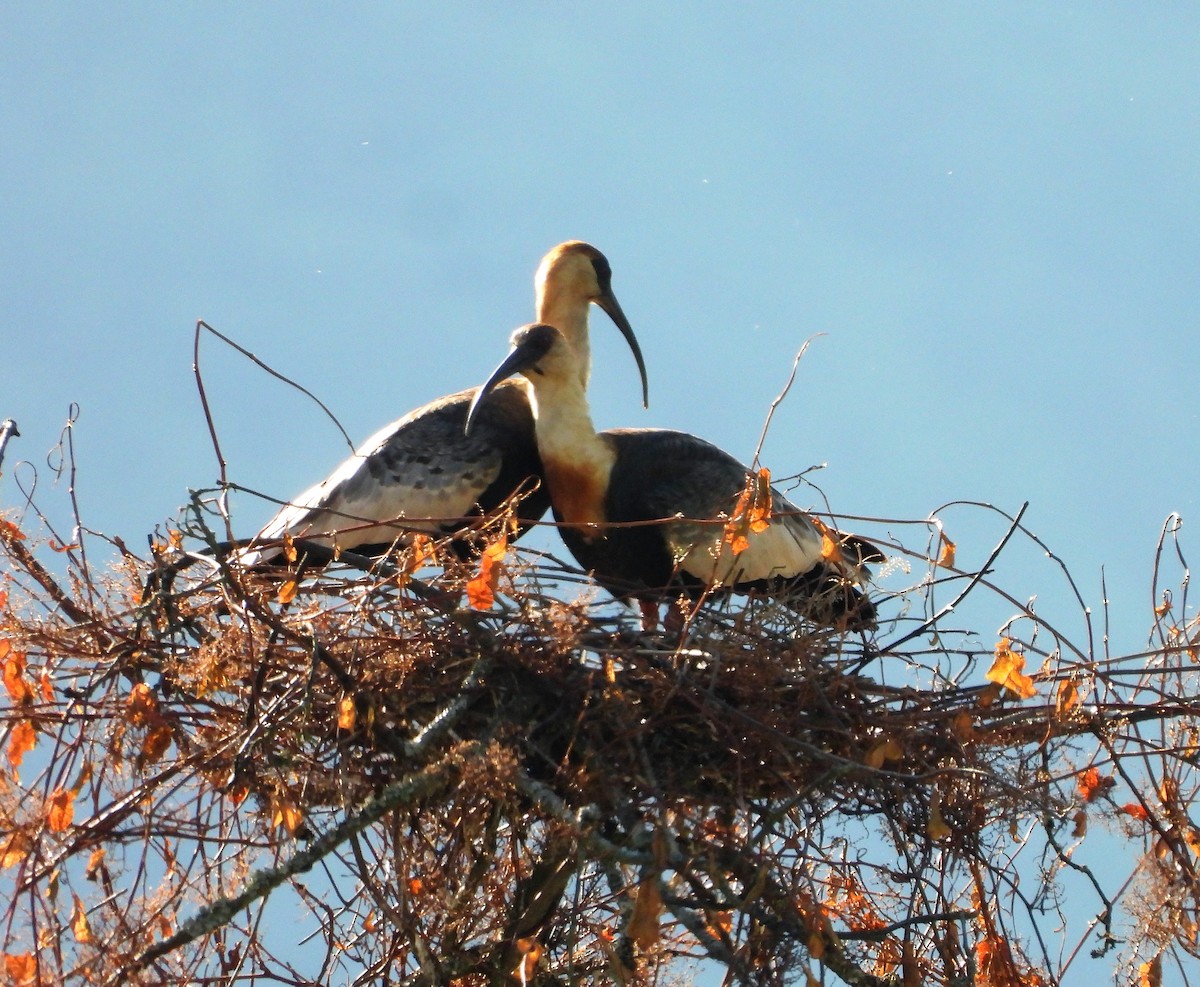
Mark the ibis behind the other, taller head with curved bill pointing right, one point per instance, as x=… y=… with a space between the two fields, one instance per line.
x=424 y=474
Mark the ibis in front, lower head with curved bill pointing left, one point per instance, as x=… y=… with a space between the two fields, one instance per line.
x=607 y=487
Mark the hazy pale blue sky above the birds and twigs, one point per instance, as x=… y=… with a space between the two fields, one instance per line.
x=992 y=212
